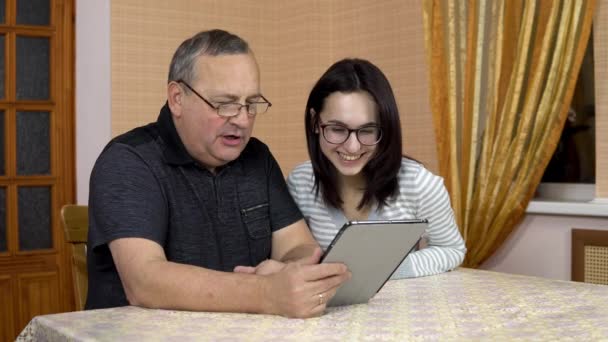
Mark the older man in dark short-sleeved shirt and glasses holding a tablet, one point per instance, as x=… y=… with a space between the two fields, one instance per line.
x=177 y=206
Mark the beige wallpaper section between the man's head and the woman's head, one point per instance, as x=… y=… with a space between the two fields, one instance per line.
x=303 y=50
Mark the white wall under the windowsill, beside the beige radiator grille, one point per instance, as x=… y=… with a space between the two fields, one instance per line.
x=541 y=246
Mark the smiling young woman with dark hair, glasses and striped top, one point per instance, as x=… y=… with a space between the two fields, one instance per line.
x=357 y=170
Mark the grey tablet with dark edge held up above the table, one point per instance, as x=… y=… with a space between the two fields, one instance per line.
x=372 y=250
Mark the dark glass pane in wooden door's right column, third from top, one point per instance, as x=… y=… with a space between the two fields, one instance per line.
x=33 y=143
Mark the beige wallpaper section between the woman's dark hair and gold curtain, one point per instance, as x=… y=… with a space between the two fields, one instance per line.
x=391 y=35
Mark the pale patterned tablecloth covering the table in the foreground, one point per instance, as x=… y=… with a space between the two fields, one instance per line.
x=463 y=304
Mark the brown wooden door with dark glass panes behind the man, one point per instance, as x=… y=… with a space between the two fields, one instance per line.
x=36 y=158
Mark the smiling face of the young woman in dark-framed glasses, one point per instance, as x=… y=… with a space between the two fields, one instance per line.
x=351 y=111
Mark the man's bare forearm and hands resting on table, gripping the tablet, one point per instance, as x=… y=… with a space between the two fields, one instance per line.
x=292 y=291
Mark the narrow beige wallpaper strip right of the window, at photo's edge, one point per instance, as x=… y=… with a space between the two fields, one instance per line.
x=600 y=46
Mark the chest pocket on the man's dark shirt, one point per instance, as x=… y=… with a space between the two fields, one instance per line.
x=256 y=220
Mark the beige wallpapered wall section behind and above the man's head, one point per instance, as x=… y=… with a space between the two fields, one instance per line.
x=145 y=34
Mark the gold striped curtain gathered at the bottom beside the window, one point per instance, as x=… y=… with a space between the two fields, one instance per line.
x=502 y=74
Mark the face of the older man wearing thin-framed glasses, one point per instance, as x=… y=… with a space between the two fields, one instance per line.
x=211 y=139
